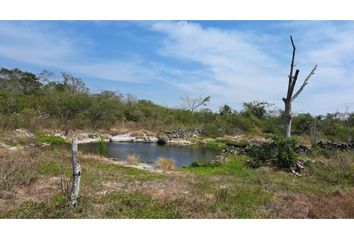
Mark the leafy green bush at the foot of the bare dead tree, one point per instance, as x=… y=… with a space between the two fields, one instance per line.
x=279 y=152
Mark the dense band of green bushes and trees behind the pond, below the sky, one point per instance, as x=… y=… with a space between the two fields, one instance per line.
x=44 y=101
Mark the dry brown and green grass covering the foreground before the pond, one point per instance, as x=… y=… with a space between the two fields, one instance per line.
x=35 y=182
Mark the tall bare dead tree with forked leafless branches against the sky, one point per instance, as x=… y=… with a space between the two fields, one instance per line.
x=290 y=97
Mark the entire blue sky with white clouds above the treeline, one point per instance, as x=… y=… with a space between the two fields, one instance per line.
x=162 y=61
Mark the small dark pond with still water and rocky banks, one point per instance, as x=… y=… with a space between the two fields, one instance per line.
x=148 y=153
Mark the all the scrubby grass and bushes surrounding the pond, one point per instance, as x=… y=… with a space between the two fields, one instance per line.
x=257 y=183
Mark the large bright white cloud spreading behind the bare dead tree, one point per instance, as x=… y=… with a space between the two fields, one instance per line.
x=244 y=66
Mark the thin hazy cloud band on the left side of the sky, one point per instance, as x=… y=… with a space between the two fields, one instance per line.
x=43 y=46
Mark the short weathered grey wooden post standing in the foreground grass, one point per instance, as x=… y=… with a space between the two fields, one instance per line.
x=76 y=173
